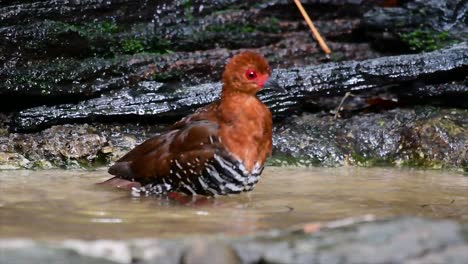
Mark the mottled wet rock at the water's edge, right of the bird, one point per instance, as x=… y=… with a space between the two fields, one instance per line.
x=423 y=136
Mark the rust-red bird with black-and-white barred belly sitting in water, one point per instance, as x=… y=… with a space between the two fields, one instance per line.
x=219 y=149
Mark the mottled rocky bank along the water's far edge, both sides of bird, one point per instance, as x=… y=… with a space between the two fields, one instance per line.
x=424 y=136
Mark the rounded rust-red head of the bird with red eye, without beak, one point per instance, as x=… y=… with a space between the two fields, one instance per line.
x=246 y=72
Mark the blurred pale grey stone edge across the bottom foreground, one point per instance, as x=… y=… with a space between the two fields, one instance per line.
x=404 y=240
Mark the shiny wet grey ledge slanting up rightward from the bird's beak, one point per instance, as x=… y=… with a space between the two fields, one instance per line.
x=354 y=75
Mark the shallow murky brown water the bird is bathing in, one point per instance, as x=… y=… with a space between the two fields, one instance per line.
x=57 y=204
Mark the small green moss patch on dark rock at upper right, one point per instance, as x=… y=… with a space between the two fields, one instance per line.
x=426 y=40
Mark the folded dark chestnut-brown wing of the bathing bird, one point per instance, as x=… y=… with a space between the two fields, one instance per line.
x=184 y=150
